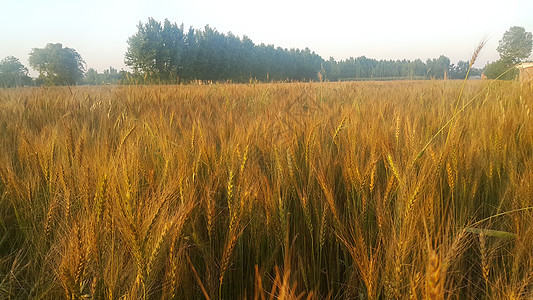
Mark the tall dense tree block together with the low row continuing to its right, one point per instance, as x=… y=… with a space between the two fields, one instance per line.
x=166 y=52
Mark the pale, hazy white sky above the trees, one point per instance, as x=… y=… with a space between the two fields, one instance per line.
x=380 y=29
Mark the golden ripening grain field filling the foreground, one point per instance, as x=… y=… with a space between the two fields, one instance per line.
x=353 y=190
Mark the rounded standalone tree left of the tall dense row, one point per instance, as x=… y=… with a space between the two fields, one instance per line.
x=57 y=65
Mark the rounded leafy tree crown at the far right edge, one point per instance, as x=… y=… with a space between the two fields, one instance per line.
x=515 y=46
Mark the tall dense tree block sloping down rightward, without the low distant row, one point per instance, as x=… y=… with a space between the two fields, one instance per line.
x=166 y=53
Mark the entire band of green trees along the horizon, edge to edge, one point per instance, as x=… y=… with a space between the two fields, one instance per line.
x=168 y=53
